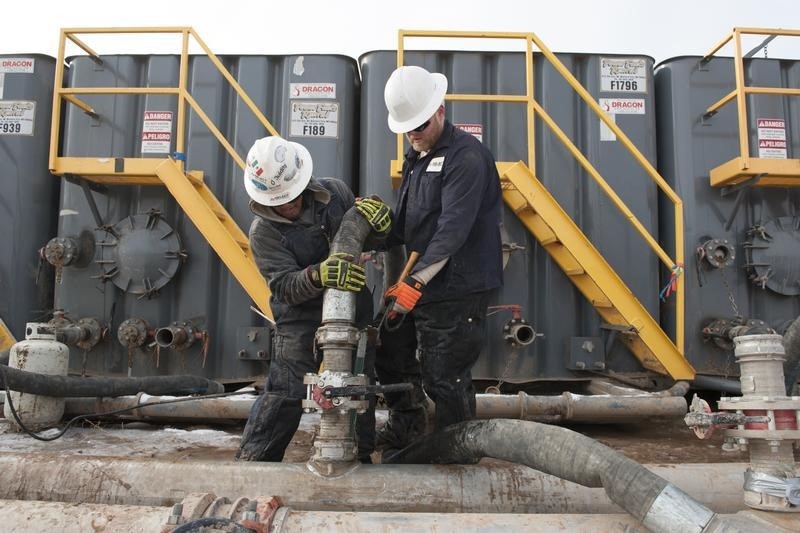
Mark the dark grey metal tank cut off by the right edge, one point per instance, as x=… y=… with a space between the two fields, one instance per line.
x=742 y=243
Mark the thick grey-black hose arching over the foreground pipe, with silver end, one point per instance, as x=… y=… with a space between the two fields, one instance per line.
x=568 y=455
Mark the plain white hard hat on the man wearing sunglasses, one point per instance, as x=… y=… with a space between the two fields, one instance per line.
x=412 y=96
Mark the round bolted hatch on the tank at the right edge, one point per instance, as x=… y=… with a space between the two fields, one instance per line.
x=774 y=250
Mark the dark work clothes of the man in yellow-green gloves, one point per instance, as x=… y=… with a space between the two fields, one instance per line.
x=283 y=249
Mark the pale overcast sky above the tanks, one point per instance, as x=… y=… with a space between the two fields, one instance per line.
x=661 y=29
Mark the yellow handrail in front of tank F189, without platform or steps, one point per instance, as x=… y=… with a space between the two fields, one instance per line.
x=184 y=97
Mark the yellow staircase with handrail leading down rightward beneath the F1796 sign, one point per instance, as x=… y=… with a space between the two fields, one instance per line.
x=561 y=237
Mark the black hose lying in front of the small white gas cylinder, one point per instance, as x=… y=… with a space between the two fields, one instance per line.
x=77 y=387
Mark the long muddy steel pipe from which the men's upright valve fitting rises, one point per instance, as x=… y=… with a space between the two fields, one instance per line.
x=496 y=488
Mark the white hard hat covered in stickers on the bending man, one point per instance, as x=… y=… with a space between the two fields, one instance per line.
x=277 y=171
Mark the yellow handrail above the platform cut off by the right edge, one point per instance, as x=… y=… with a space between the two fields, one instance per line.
x=741 y=89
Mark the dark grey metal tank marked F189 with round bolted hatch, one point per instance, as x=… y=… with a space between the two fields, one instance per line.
x=151 y=263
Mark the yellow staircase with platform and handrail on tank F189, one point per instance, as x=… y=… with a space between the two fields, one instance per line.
x=187 y=187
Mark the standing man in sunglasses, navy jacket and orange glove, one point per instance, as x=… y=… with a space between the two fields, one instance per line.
x=448 y=210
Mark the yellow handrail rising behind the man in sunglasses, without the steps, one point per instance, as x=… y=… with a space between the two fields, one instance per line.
x=533 y=108
